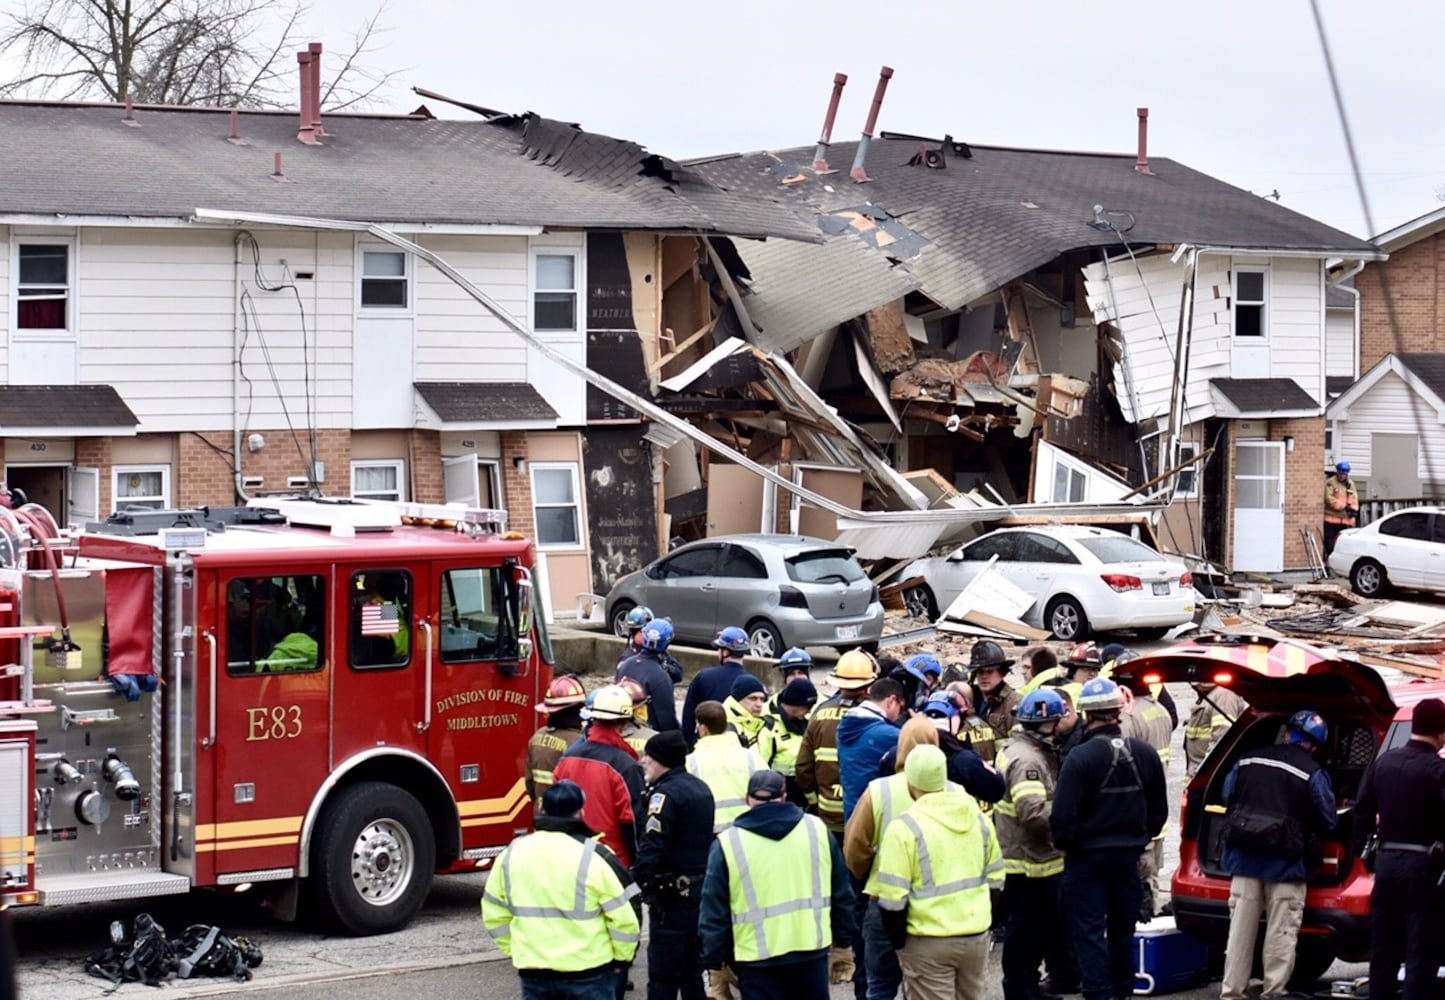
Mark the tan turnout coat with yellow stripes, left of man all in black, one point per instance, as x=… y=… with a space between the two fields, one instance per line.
x=1022 y=817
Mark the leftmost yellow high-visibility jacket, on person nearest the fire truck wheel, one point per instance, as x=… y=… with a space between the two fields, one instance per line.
x=554 y=904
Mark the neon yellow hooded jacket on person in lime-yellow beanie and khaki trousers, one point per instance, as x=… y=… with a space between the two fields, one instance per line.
x=940 y=861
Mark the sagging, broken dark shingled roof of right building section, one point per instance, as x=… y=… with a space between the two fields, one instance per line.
x=985 y=220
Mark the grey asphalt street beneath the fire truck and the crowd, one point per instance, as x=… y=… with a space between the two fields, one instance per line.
x=444 y=953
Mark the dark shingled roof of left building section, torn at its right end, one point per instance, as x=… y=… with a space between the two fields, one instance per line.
x=86 y=160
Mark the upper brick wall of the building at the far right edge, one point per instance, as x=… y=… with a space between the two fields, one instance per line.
x=1417 y=285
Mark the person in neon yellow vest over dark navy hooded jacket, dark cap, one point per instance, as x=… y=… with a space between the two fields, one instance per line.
x=775 y=898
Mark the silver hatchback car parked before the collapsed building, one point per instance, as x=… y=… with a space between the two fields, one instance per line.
x=787 y=590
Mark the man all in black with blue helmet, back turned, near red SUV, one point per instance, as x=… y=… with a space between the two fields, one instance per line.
x=1110 y=803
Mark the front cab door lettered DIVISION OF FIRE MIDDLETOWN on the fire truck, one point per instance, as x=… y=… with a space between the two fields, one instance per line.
x=482 y=712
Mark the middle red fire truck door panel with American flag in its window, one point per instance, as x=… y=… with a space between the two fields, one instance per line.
x=379 y=677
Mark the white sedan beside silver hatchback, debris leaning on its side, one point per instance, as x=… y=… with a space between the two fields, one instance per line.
x=1082 y=579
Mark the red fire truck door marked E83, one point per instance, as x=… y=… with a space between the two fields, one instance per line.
x=272 y=725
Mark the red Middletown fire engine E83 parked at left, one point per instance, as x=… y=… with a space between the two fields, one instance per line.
x=323 y=700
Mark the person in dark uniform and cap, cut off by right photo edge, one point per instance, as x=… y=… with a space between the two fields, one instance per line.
x=1407 y=790
